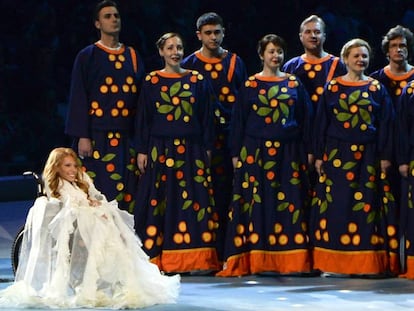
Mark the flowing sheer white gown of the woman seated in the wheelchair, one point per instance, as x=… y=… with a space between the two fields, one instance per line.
x=74 y=255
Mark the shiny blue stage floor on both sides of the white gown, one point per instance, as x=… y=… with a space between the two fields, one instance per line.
x=252 y=292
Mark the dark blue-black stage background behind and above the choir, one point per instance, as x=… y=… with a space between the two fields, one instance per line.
x=40 y=38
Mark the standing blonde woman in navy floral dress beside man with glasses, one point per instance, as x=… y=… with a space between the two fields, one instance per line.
x=353 y=212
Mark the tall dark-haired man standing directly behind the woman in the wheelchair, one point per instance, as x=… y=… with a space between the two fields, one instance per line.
x=103 y=97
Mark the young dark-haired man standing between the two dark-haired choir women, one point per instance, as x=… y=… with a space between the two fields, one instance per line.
x=227 y=72
